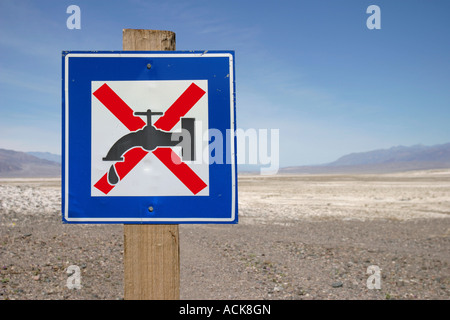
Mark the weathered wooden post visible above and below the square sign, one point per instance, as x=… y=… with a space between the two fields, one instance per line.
x=151 y=252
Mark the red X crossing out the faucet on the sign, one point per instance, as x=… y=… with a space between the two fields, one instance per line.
x=167 y=156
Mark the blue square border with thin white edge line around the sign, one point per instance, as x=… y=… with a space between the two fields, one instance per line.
x=79 y=69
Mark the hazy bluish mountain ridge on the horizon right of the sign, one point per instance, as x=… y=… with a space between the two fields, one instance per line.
x=395 y=159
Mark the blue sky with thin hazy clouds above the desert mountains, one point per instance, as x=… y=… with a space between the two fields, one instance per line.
x=310 y=68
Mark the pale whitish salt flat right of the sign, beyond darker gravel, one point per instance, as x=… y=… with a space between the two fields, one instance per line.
x=400 y=196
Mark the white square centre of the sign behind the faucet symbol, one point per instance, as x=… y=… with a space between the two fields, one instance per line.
x=150 y=176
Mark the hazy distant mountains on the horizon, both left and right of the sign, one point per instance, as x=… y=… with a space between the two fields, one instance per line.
x=396 y=159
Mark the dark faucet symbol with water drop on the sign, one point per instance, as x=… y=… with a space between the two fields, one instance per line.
x=150 y=138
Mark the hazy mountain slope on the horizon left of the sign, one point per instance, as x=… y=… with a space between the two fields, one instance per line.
x=15 y=164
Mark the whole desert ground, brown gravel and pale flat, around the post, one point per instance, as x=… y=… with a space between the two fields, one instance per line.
x=298 y=237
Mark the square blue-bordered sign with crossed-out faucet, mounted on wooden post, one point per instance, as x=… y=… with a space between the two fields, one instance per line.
x=149 y=137
